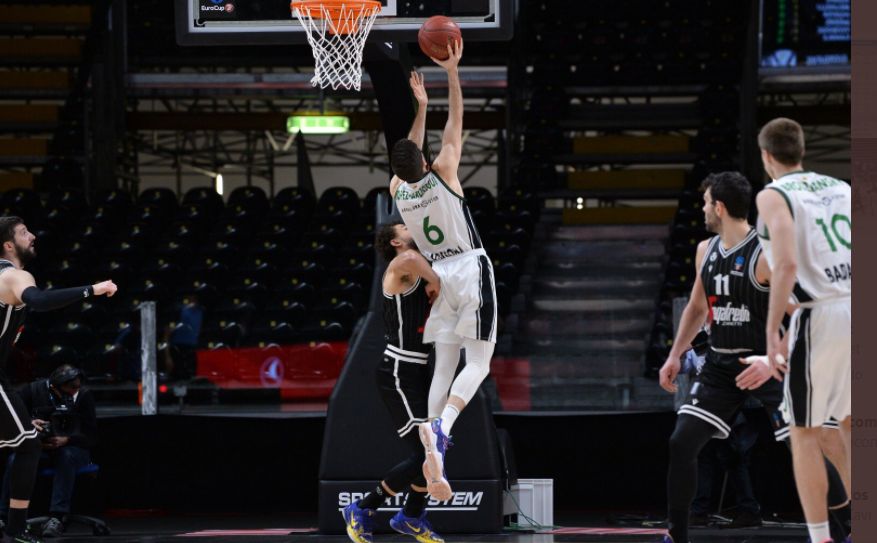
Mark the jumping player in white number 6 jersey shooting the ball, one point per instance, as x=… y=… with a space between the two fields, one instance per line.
x=430 y=200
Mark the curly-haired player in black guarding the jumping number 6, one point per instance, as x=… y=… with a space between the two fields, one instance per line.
x=409 y=287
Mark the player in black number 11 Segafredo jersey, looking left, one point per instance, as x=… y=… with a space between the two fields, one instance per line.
x=730 y=294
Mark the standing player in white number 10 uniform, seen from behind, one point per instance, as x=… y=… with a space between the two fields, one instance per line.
x=805 y=228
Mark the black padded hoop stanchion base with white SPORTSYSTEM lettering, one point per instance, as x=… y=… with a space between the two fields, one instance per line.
x=360 y=443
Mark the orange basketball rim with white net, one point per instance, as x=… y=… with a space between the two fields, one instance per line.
x=336 y=30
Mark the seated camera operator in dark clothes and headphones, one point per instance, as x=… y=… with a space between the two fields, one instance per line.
x=64 y=413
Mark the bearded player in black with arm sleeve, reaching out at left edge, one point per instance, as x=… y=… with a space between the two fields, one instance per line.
x=18 y=293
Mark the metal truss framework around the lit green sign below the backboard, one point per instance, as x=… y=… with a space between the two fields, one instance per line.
x=257 y=151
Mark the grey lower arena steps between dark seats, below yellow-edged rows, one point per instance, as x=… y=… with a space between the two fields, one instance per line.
x=590 y=295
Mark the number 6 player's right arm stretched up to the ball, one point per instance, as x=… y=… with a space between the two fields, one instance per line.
x=448 y=159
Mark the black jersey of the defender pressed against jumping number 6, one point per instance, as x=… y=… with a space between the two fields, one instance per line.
x=405 y=316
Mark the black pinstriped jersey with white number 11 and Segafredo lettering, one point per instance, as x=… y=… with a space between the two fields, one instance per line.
x=738 y=303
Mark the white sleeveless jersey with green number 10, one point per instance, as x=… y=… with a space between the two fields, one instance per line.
x=821 y=208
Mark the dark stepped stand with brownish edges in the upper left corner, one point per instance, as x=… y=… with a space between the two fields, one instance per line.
x=41 y=48
